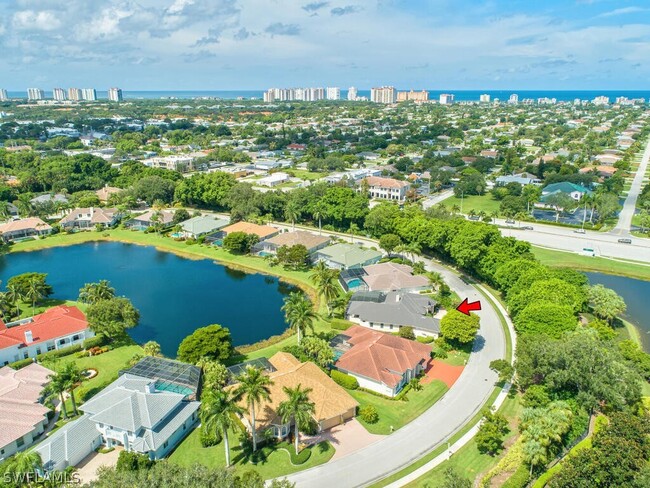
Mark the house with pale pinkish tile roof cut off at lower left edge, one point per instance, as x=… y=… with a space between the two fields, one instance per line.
x=24 y=417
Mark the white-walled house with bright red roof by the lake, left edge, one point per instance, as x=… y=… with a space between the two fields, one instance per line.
x=53 y=329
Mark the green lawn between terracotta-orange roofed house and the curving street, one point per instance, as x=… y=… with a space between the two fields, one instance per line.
x=397 y=413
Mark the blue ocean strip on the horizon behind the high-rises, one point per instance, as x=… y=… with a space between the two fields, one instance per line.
x=460 y=95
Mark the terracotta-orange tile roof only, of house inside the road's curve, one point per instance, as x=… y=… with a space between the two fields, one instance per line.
x=381 y=357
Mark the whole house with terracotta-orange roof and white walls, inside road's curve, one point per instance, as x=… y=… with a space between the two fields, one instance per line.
x=380 y=362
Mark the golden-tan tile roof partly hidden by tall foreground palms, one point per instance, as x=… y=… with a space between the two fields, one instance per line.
x=330 y=399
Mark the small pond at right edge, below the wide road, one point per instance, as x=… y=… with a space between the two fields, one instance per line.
x=635 y=293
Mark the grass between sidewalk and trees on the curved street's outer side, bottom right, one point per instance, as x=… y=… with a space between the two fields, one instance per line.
x=468 y=461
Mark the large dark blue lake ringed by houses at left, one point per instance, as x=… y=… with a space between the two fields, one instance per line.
x=175 y=295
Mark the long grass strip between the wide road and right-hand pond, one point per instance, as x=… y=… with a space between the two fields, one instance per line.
x=587 y=263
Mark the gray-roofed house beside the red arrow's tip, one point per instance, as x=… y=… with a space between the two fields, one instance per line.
x=390 y=311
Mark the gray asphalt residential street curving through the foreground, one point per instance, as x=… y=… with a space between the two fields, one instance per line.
x=434 y=426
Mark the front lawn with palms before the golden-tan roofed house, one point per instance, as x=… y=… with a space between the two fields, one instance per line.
x=271 y=462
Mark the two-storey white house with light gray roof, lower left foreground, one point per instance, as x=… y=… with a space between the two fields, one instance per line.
x=131 y=412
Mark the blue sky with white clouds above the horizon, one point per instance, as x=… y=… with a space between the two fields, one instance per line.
x=258 y=44
